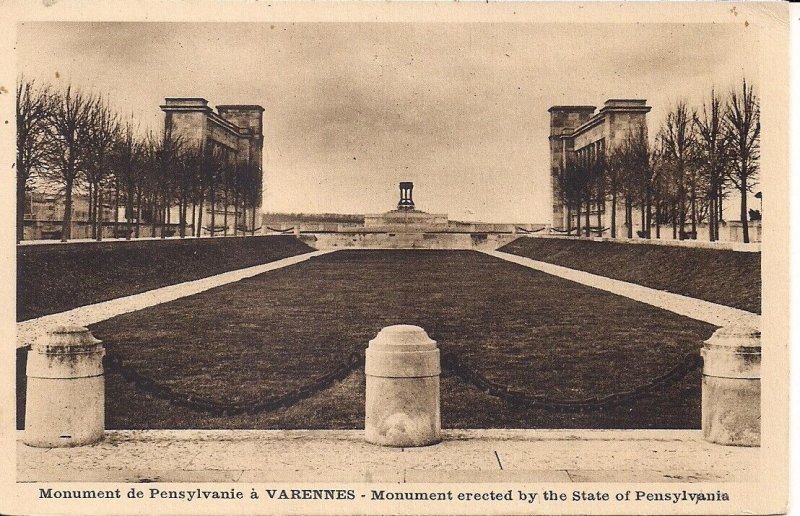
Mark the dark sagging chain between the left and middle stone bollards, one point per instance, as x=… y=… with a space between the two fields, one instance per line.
x=143 y=383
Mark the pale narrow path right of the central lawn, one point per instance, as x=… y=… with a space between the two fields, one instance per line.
x=712 y=313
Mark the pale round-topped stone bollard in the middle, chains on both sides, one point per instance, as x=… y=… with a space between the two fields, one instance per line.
x=402 y=369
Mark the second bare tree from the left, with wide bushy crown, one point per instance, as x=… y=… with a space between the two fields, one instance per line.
x=69 y=116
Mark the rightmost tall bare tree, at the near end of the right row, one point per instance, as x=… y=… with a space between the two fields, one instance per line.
x=743 y=129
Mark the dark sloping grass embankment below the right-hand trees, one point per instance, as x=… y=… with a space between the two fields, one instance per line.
x=721 y=276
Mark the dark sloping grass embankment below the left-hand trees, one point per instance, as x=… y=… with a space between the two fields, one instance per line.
x=58 y=277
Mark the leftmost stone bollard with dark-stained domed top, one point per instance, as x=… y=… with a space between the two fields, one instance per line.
x=65 y=402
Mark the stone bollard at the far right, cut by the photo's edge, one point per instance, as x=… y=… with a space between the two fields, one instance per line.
x=731 y=406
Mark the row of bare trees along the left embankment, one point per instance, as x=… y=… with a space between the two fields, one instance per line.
x=73 y=141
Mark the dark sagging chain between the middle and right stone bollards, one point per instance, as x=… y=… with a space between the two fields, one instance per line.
x=690 y=363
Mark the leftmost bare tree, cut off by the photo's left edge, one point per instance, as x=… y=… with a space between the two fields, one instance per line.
x=32 y=110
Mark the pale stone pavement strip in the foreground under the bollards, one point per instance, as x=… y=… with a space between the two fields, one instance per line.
x=343 y=456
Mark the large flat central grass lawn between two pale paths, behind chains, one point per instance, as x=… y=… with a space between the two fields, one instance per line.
x=271 y=333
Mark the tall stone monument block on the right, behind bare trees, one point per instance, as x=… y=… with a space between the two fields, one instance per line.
x=578 y=133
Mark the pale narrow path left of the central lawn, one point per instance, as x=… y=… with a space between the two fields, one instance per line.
x=32 y=330
